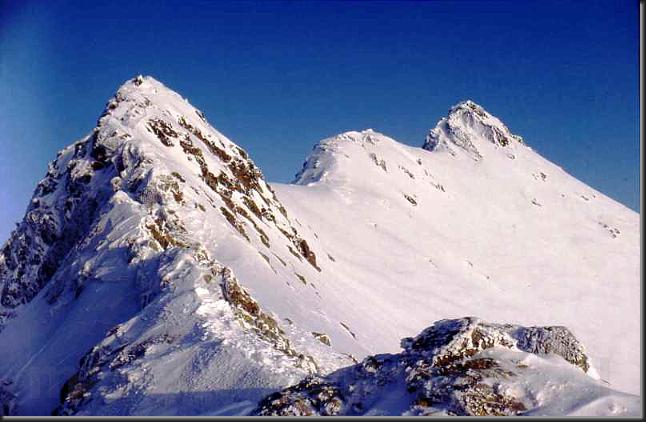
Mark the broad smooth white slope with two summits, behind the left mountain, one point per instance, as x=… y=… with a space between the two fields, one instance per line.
x=476 y=223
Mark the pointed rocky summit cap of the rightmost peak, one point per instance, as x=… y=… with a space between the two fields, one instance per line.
x=468 y=126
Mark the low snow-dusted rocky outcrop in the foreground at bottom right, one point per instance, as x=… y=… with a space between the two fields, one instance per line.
x=464 y=367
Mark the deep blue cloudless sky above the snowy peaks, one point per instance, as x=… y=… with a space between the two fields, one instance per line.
x=276 y=77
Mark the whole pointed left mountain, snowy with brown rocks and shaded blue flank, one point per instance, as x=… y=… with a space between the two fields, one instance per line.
x=123 y=262
